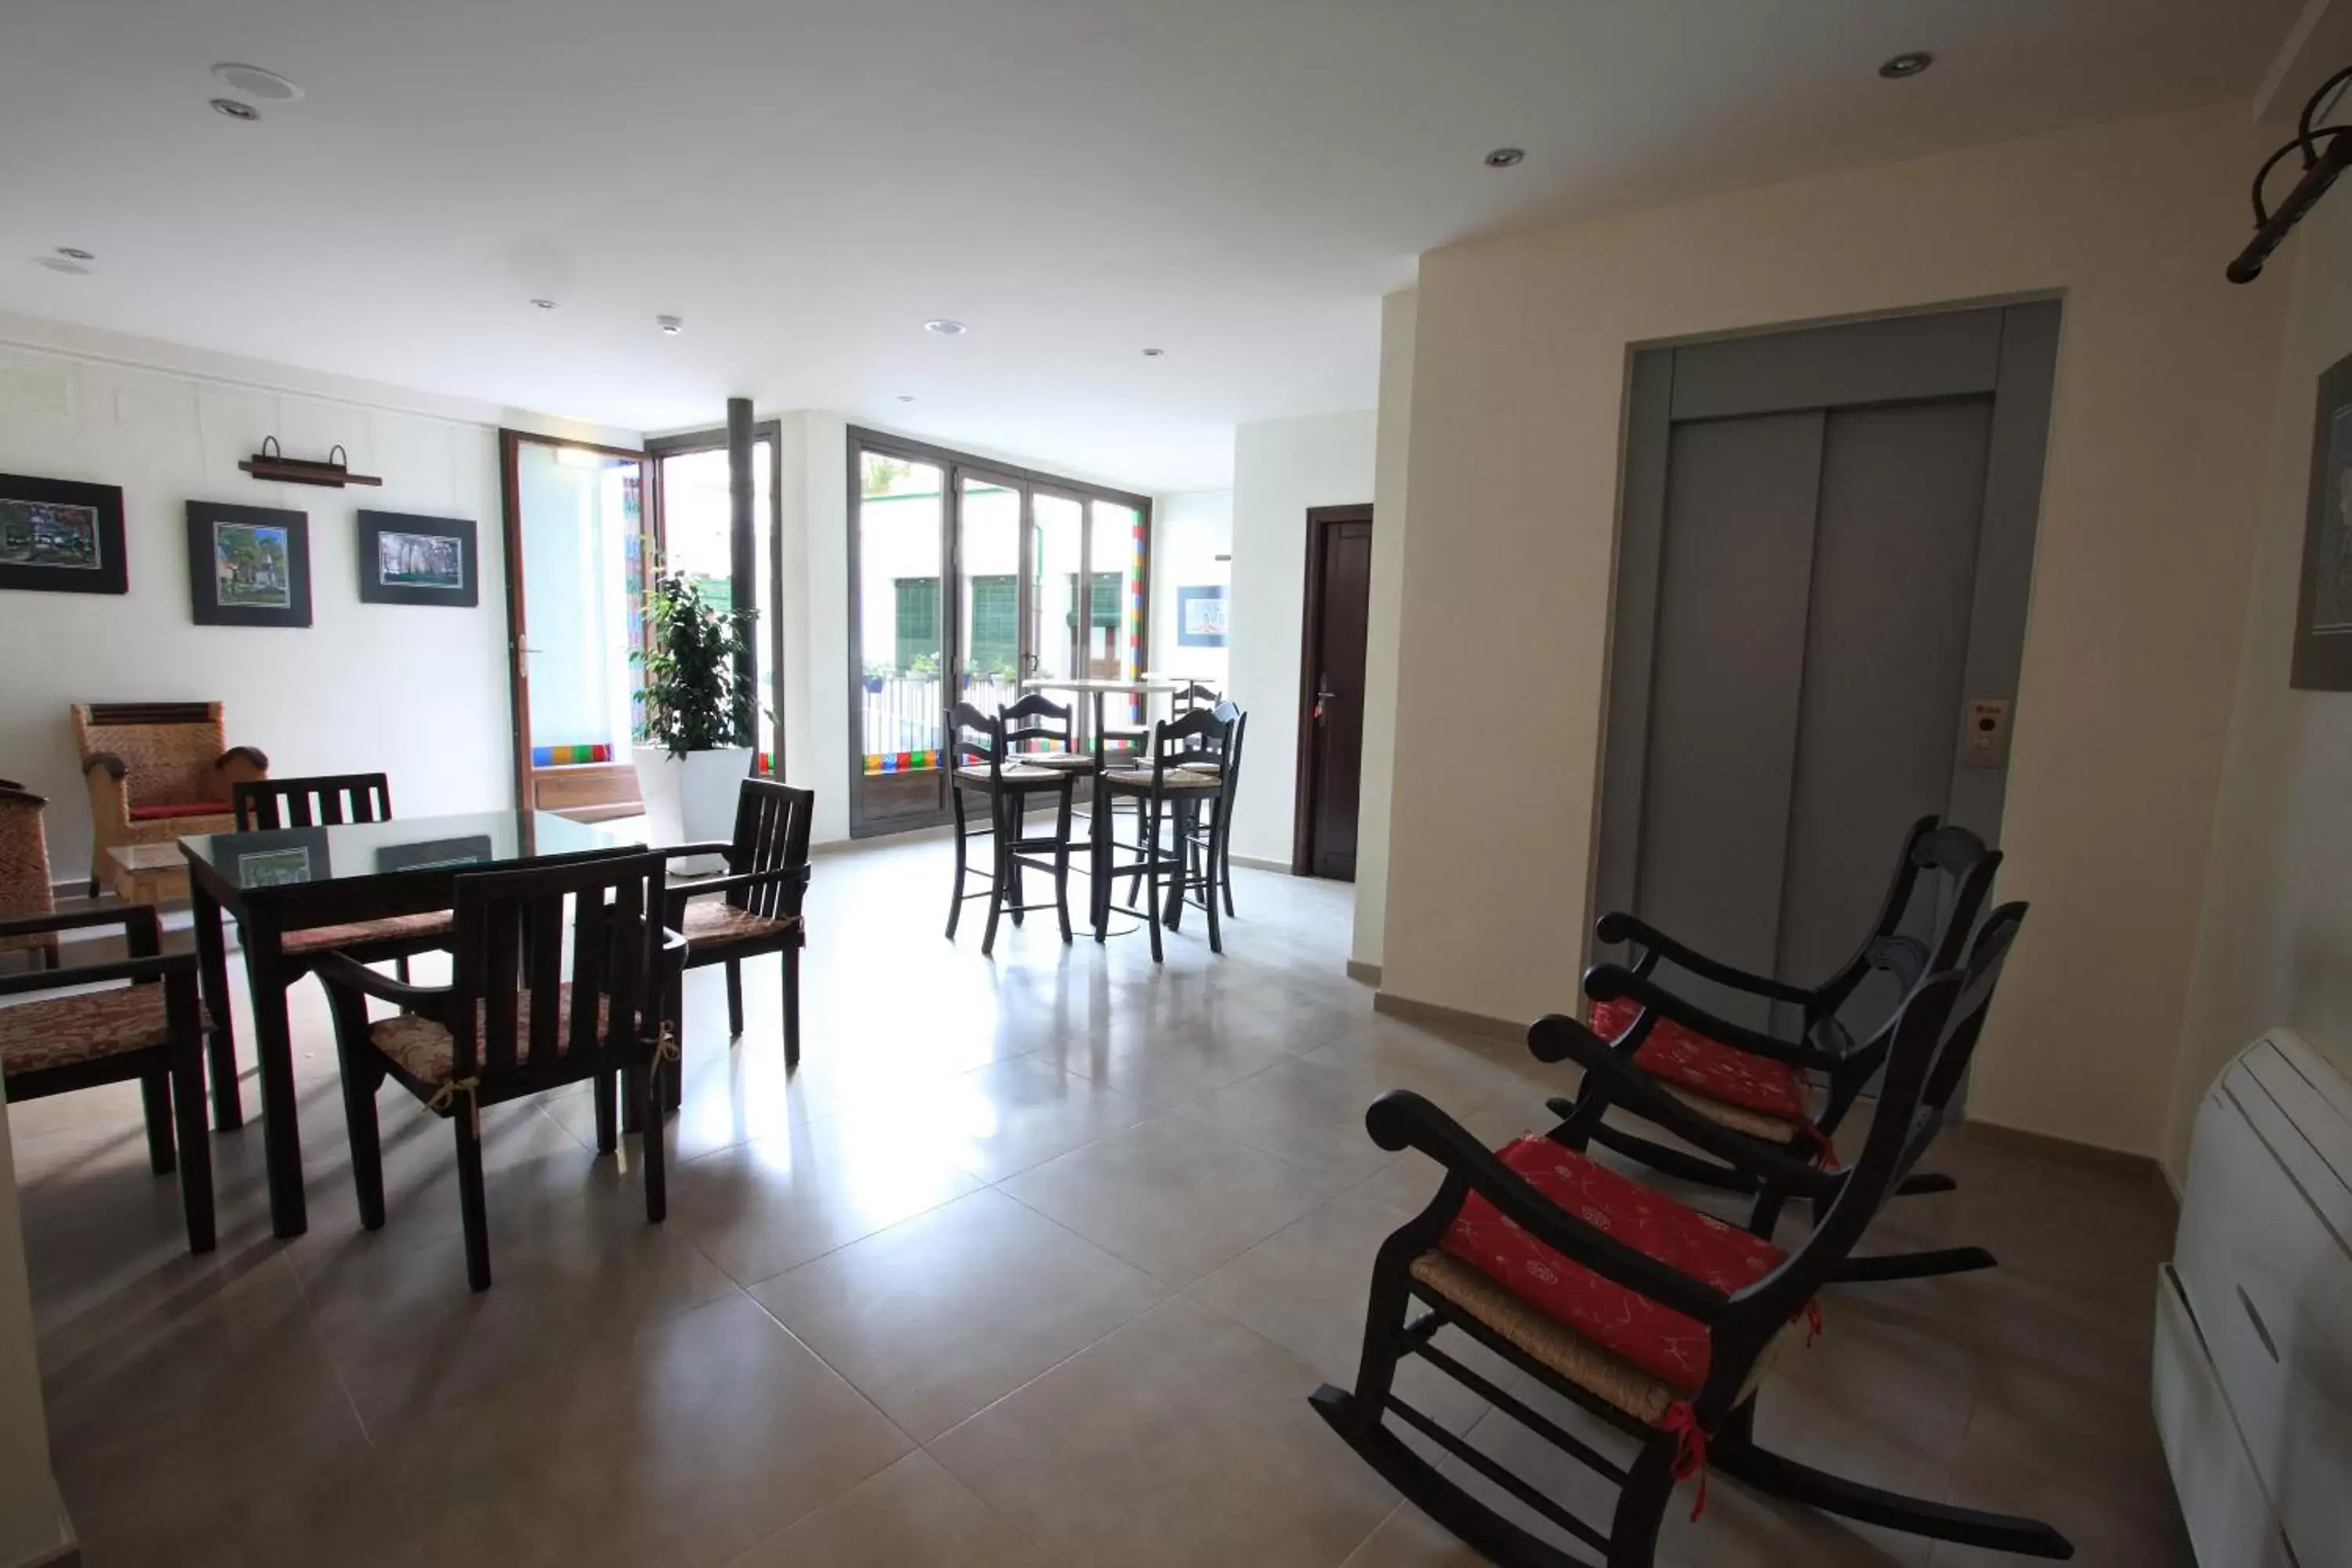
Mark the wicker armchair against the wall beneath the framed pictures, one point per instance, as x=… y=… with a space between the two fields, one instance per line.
x=156 y=772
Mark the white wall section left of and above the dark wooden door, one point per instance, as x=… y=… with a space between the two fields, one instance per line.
x=1281 y=469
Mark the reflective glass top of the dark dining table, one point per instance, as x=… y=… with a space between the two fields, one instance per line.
x=349 y=852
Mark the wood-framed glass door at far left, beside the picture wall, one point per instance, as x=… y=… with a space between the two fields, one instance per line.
x=575 y=587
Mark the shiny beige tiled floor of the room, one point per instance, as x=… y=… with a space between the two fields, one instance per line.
x=1034 y=1264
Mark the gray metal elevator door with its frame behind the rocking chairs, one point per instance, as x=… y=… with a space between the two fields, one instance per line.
x=1808 y=601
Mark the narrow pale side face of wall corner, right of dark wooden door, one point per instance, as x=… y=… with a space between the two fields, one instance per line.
x=1384 y=648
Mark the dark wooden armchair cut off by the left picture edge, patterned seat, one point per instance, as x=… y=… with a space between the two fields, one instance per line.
x=149 y=1031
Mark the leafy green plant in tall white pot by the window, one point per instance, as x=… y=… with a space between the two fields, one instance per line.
x=695 y=737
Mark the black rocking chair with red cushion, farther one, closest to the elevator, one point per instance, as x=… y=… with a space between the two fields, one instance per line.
x=1753 y=1083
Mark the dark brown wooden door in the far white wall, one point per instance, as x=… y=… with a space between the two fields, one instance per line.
x=1332 y=690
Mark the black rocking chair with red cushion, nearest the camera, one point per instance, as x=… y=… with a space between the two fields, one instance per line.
x=1650 y=1315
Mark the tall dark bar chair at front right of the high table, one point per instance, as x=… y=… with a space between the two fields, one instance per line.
x=1170 y=793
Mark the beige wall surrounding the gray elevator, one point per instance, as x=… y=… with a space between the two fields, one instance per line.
x=2151 y=495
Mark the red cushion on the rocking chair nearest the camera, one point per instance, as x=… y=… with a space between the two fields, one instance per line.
x=1662 y=1341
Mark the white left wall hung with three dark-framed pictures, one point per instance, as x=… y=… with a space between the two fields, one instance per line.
x=415 y=692
